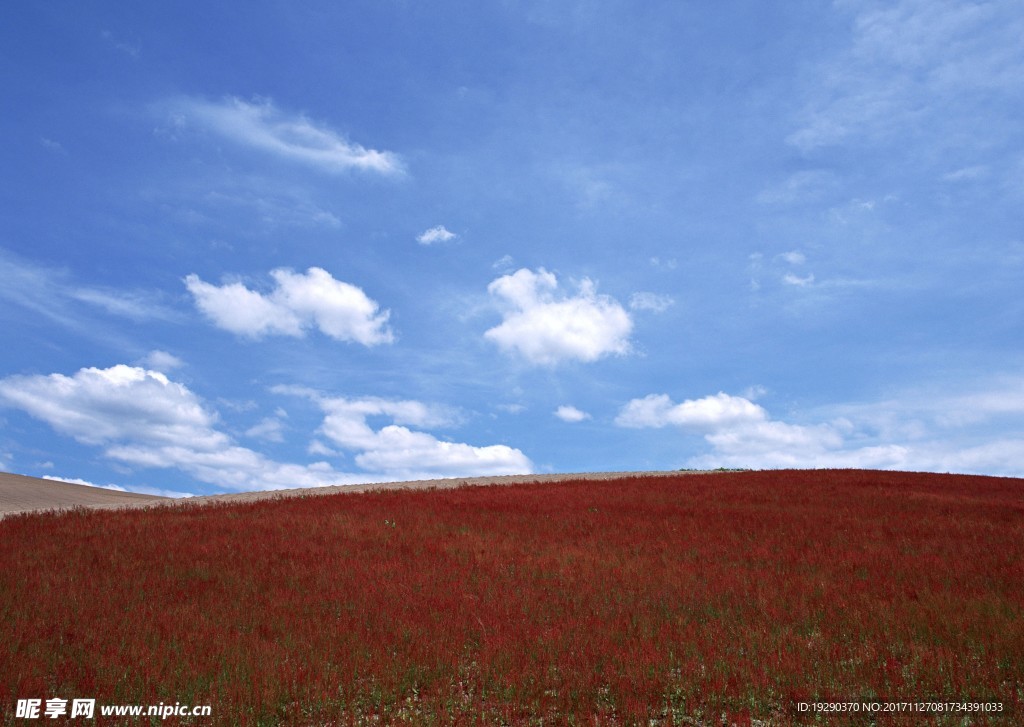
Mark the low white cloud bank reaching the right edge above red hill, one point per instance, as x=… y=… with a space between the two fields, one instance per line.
x=936 y=433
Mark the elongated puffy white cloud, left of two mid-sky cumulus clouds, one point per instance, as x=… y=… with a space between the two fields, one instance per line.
x=300 y=302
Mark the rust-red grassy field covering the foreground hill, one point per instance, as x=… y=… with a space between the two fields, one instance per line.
x=671 y=601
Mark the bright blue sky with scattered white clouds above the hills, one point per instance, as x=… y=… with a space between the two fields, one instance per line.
x=375 y=241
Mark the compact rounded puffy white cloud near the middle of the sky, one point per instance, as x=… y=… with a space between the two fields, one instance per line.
x=546 y=329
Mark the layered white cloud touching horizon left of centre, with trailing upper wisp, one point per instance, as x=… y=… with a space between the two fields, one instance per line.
x=398 y=452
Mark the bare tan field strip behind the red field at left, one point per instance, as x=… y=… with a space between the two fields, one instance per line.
x=22 y=494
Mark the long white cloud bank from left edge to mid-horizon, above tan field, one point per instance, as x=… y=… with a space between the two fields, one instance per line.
x=143 y=419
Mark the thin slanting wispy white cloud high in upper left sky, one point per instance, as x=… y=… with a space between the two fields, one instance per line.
x=264 y=126
